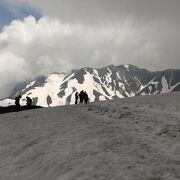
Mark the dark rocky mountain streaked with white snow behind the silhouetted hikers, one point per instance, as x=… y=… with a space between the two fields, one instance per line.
x=101 y=84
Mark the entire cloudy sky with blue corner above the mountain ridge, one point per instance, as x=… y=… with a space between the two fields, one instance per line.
x=38 y=37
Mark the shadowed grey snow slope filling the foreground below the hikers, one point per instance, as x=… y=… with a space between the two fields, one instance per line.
x=126 y=139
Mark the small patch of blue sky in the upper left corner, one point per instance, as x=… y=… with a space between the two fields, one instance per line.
x=11 y=10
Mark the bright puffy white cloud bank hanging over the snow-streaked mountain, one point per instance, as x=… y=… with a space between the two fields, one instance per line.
x=32 y=48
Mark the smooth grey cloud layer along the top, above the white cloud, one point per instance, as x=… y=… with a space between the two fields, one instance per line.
x=108 y=11
